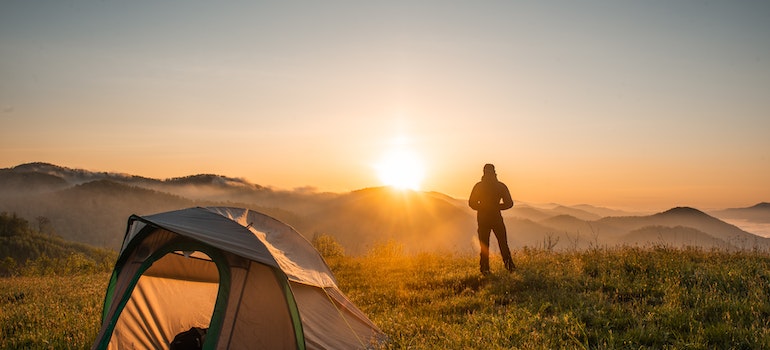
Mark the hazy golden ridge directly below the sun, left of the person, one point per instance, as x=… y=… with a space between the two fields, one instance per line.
x=422 y=221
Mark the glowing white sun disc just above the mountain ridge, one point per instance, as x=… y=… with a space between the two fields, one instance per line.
x=401 y=169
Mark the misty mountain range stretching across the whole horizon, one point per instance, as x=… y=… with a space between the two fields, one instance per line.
x=93 y=207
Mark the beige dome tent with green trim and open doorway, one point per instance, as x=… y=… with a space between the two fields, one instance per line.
x=250 y=280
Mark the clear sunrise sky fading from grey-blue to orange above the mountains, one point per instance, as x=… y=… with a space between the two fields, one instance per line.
x=623 y=104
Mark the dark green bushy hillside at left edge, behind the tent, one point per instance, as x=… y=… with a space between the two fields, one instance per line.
x=25 y=250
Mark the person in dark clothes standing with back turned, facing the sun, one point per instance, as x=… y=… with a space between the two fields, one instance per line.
x=488 y=198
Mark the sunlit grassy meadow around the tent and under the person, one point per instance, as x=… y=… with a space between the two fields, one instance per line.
x=625 y=298
